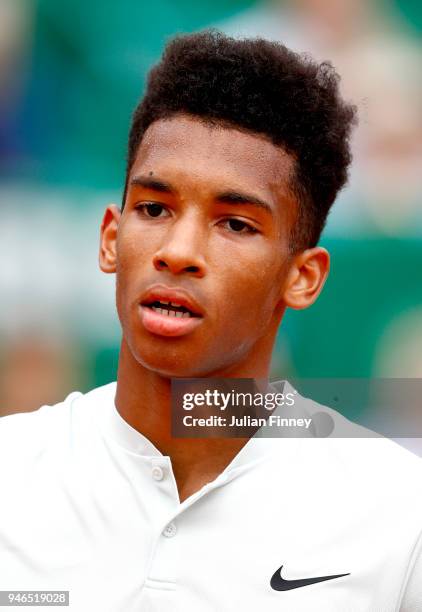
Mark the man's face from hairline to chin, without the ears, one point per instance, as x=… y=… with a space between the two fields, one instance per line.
x=206 y=220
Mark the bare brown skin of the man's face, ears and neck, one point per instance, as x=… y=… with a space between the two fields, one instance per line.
x=244 y=280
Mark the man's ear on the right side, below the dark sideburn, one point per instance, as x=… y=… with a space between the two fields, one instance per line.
x=306 y=277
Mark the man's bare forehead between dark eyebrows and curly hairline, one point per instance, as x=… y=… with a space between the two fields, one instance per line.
x=192 y=148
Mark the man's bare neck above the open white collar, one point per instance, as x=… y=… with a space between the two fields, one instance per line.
x=143 y=399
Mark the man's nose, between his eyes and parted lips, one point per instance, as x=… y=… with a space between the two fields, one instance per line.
x=182 y=249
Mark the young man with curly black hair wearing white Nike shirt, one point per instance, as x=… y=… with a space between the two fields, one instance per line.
x=236 y=154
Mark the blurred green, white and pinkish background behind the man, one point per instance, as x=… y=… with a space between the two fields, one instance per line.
x=71 y=73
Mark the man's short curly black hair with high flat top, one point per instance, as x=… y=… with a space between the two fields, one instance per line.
x=264 y=88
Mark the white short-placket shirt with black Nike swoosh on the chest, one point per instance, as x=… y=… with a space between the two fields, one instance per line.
x=90 y=506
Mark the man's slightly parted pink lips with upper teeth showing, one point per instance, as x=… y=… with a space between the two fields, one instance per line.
x=169 y=311
